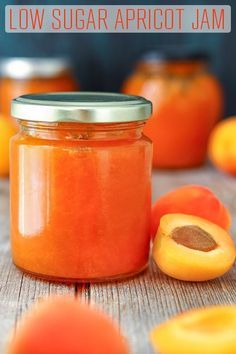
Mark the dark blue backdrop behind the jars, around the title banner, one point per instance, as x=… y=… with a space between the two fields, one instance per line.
x=104 y=60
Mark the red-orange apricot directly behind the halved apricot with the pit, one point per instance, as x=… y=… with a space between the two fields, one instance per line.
x=193 y=200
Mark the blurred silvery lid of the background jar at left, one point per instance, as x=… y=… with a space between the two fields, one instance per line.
x=28 y=68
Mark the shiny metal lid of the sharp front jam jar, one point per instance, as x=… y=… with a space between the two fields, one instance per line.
x=81 y=107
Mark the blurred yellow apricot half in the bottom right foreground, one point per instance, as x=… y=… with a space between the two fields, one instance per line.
x=209 y=330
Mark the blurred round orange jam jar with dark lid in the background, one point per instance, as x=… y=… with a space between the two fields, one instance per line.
x=187 y=102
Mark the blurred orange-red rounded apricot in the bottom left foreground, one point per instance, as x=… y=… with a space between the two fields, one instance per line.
x=64 y=325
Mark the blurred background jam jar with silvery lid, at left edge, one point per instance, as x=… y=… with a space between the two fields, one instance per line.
x=30 y=75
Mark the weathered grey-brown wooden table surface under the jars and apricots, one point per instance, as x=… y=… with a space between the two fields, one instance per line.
x=136 y=304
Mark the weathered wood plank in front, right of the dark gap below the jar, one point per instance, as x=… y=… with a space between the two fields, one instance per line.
x=141 y=303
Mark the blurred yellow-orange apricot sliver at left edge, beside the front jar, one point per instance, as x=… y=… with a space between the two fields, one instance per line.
x=7 y=130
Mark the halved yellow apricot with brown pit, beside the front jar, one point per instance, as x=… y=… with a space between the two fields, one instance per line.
x=190 y=248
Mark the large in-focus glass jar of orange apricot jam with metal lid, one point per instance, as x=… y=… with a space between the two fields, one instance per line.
x=81 y=186
